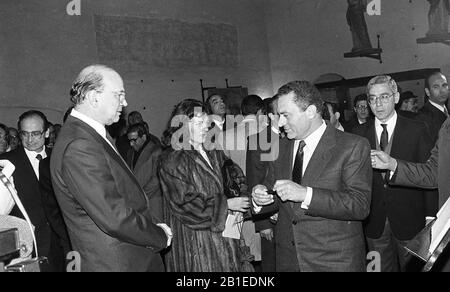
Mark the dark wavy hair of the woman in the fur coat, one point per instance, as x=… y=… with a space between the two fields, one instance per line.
x=186 y=109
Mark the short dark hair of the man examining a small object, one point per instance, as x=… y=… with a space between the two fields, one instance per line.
x=306 y=94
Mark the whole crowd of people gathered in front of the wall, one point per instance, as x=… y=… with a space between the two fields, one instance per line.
x=289 y=185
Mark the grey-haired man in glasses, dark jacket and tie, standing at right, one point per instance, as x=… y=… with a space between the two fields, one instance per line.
x=397 y=214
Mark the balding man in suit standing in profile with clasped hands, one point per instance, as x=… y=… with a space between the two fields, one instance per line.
x=104 y=207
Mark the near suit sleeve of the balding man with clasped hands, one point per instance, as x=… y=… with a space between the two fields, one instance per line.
x=88 y=176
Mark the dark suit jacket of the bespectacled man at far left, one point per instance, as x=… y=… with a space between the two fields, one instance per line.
x=27 y=186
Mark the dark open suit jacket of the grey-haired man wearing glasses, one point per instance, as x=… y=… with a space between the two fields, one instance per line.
x=406 y=208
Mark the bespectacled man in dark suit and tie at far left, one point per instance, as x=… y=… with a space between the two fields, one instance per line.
x=33 y=129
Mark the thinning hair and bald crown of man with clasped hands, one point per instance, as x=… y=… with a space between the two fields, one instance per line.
x=90 y=78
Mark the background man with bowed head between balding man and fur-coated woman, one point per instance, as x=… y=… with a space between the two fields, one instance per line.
x=143 y=161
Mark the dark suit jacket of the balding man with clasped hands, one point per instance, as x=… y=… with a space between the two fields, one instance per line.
x=104 y=207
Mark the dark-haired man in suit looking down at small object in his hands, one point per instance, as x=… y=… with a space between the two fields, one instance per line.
x=323 y=185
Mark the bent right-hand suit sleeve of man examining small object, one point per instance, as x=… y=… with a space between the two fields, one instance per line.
x=353 y=203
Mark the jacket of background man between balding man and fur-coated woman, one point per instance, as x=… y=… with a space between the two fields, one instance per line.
x=146 y=172
